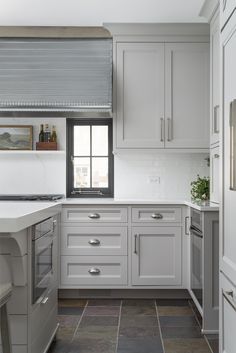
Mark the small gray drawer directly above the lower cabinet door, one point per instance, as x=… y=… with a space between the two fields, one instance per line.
x=156 y=215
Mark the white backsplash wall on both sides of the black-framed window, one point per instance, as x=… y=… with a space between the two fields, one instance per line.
x=22 y=173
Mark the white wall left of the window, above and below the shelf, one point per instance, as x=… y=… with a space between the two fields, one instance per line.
x=26 y=173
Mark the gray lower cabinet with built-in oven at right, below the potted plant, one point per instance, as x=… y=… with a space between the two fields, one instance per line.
x=204 y=266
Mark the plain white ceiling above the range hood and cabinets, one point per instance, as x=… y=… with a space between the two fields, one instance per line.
x=95 y=12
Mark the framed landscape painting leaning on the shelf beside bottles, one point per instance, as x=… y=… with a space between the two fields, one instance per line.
x=16 y=137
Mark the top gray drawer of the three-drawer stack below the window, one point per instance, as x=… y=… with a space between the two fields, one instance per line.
x=94 y=214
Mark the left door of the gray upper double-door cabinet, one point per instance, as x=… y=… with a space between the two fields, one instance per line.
x=140 y=95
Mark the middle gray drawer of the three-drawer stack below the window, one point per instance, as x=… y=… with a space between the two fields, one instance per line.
x=94 y=240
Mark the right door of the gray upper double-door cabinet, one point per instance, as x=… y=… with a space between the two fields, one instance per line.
x=187 y=95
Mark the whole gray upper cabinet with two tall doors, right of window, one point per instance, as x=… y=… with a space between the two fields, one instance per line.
x=161 y=94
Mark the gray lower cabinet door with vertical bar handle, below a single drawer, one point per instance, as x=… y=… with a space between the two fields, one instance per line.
x=156 y=256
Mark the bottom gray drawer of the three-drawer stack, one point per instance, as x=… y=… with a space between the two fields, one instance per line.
x=93 y=270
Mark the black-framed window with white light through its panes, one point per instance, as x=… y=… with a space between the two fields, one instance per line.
x=90 y=166
